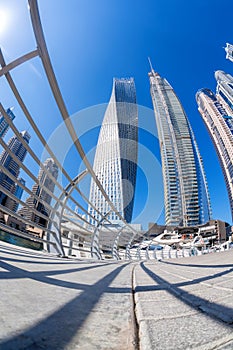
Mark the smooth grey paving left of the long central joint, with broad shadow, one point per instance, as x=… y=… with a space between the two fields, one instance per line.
x=53 y=303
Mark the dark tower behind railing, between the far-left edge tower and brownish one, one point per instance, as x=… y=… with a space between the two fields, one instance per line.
x=18 y=149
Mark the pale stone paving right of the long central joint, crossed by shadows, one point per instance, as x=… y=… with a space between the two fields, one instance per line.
x=199 y=312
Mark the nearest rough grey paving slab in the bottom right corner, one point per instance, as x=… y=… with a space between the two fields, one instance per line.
x=183 y=333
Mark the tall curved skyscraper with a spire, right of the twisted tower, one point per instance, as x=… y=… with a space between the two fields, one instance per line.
x=186 y=196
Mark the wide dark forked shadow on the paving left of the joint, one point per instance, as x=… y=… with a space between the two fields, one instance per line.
x=58 y=329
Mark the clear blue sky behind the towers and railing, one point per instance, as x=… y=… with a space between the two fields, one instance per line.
x=92 y=41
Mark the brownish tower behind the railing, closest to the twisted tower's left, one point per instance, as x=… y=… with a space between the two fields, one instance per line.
x=43 y=196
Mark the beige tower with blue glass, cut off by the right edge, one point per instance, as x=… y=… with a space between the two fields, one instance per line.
x=219 y=122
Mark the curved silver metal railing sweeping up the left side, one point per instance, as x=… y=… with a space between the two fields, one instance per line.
x=52 y=235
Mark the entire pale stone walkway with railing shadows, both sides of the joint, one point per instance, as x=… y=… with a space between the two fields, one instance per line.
x=53 y=303
